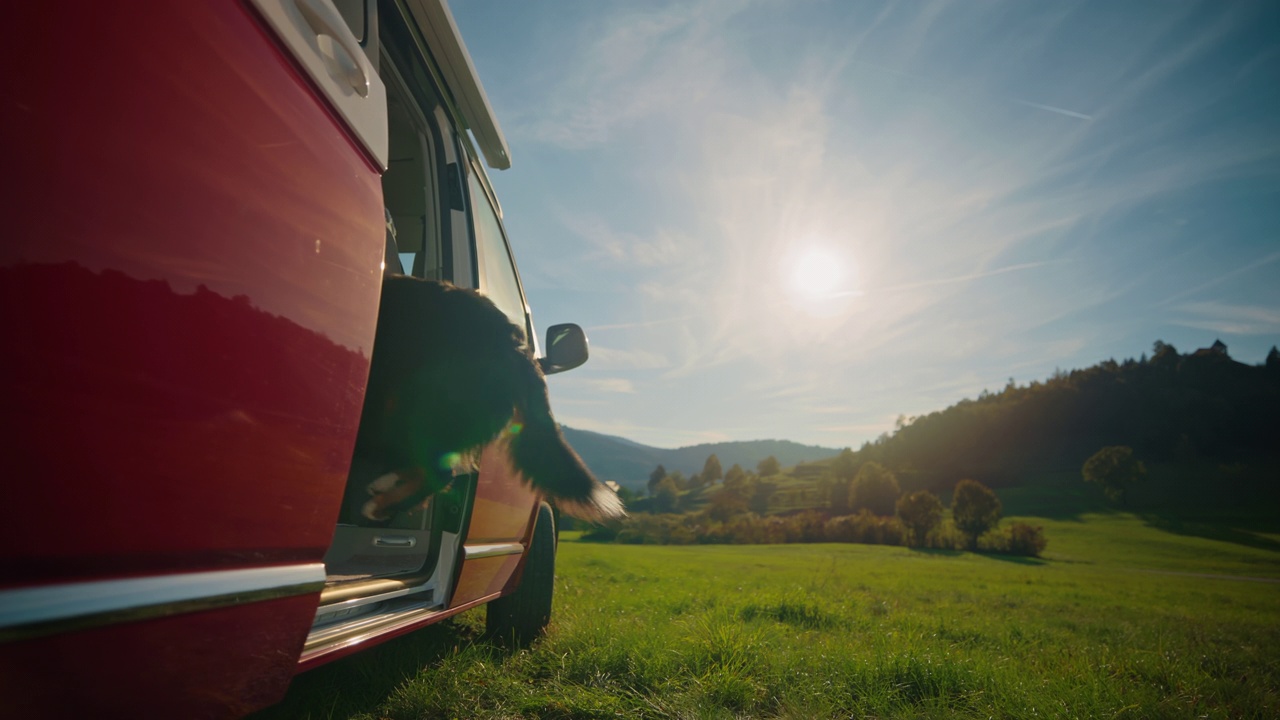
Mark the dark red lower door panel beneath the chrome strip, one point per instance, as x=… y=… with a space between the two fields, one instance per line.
x=168 y=668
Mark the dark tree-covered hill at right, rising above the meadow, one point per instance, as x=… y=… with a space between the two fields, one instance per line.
x=1201 y=407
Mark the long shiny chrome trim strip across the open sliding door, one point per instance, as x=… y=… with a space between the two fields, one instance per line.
x=45 y=610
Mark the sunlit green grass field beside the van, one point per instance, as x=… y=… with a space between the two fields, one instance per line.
x=1122 y=618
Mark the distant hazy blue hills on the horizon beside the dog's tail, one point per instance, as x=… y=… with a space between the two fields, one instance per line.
x=630 y=463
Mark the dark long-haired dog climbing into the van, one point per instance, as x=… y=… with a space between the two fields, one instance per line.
x=450 y=375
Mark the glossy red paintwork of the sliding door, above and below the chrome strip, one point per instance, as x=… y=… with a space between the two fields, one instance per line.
x=189 y=290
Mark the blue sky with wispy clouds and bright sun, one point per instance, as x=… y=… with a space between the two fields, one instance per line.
x=802 y=220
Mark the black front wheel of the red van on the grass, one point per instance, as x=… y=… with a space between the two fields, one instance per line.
x=523 y=616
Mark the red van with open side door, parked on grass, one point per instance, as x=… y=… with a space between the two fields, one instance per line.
x=203 y=202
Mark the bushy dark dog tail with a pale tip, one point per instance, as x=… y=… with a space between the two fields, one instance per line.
x=543 y=455
